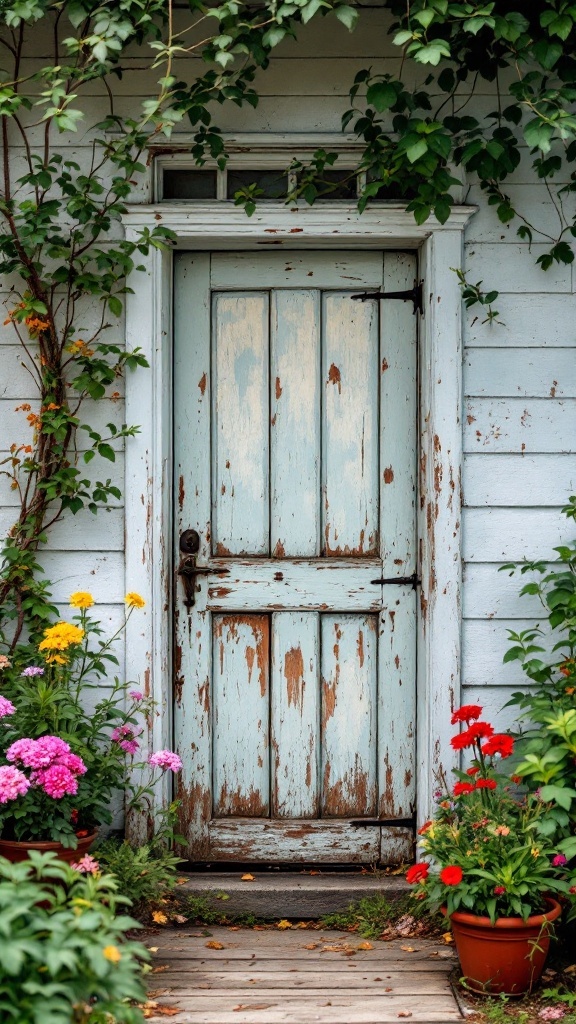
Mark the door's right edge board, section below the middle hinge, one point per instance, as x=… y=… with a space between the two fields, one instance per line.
x=397 y=709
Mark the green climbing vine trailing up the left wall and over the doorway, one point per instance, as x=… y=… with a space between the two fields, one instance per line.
x=62 y=249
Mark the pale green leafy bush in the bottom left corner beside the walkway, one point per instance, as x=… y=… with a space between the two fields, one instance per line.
x=64 y=953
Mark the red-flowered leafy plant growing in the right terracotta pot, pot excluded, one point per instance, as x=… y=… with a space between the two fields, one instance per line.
x=488 y=850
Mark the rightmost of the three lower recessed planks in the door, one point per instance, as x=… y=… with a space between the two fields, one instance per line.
x=349 y=728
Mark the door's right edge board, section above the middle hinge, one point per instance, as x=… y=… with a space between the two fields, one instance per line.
x=398 y=420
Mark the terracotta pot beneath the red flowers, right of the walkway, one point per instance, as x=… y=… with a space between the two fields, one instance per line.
x=508 y=957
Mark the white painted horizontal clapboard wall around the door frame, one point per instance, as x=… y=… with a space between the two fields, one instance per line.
x=520 y=379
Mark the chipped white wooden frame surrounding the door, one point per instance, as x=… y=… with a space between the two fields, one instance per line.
x=149 y=492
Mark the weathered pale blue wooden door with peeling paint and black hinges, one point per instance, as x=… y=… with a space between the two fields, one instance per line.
x=296 y=442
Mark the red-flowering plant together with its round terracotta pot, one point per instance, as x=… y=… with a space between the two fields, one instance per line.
x=493 y=872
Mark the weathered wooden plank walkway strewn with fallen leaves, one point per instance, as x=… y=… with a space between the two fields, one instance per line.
x=299 y=976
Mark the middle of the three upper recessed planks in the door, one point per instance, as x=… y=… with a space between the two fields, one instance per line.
x=296 y=423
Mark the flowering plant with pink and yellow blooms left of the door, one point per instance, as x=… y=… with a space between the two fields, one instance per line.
x=63 y=755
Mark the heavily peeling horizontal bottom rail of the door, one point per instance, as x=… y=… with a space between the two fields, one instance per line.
x=253 y=840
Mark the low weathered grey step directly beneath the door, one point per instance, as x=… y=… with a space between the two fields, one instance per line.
x=292 y=895
